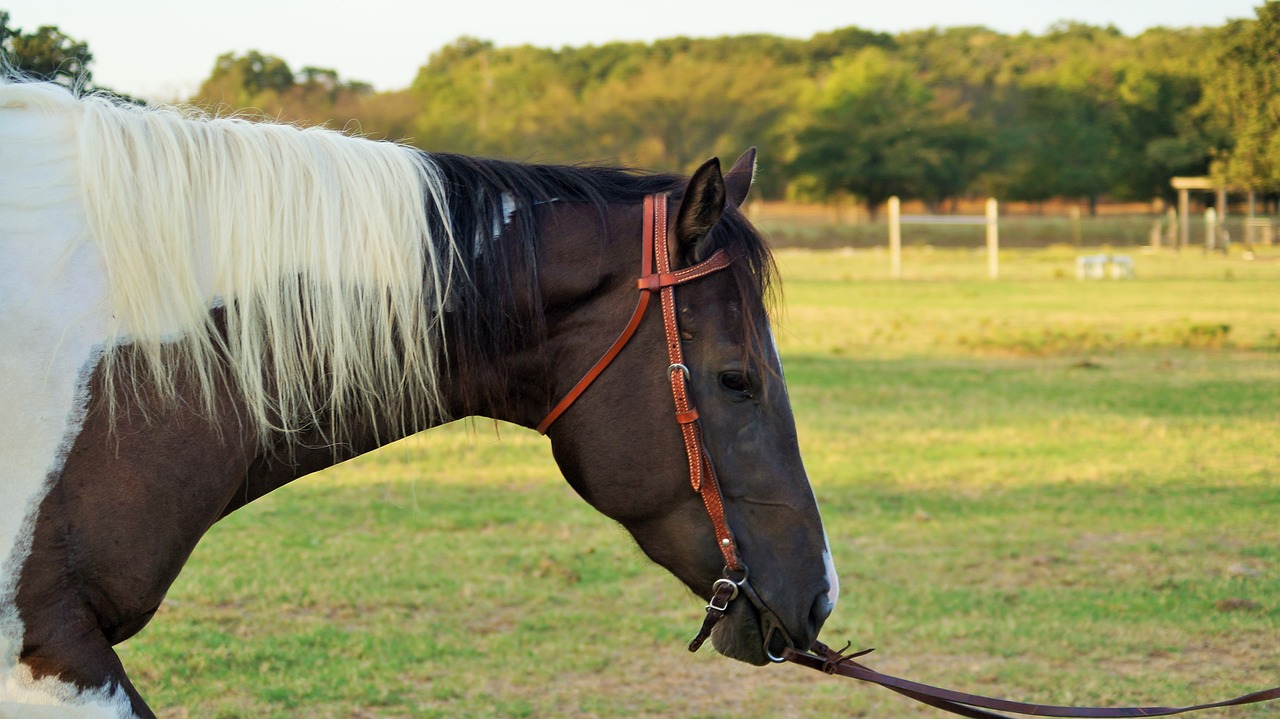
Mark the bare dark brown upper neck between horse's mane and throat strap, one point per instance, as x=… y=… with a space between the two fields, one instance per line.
x=579 y=283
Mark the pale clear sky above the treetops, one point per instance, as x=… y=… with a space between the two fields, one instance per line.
x=163 y=49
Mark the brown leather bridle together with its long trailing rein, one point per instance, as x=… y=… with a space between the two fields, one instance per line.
x=661 y=281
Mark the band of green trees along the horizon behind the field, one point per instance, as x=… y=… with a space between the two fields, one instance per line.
x=1081 y=113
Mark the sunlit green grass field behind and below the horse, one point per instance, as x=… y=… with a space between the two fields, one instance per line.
x=1043 y=489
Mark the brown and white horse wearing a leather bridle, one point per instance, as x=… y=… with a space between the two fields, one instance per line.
x=198 y=312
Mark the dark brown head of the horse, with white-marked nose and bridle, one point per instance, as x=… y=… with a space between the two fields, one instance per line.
x=623 y=448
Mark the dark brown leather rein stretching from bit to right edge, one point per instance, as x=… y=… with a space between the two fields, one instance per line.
x=825 y=660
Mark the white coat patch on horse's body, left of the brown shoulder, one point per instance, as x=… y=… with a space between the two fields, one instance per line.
x=53 y=329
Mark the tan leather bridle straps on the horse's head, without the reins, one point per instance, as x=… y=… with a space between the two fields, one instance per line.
x=657 y=278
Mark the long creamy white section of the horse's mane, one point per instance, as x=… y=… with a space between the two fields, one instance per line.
x=316 y=245
